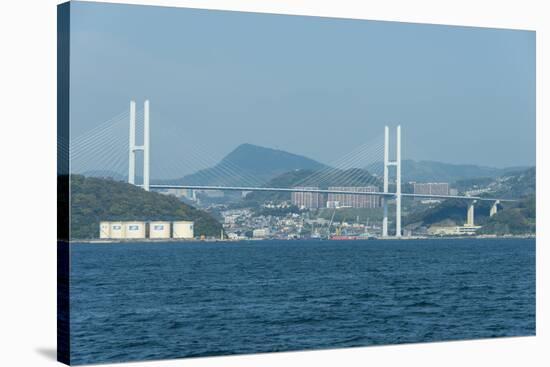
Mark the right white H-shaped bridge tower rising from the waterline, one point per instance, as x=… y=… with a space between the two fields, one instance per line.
x=397 y=164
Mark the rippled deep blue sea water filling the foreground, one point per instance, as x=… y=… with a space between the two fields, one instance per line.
x=154 y=301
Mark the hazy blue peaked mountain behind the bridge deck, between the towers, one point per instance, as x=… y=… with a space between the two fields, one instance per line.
x=249 y=164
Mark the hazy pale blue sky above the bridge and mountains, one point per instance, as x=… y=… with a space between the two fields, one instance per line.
x=308 y=85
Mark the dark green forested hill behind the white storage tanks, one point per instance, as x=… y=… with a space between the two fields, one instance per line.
x=97 y=199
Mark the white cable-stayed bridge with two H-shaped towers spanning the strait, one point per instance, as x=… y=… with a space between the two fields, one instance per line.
x=113 y=146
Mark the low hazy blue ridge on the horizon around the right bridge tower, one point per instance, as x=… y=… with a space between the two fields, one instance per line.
x=431 y=171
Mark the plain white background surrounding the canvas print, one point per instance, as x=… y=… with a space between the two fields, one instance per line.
x=27 y=182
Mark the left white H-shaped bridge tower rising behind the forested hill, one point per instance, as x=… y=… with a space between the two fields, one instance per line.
x=133 y=148
